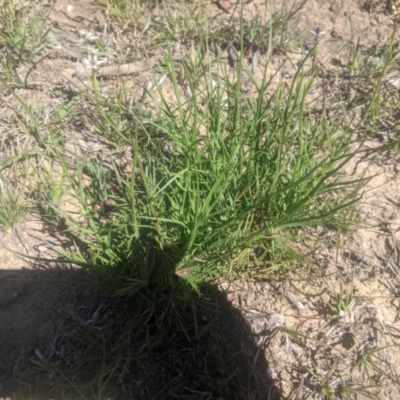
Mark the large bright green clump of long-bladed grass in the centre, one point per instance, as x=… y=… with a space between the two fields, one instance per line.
x=211 y=182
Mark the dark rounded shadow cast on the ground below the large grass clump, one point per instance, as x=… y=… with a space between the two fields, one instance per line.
x=58 y=342
